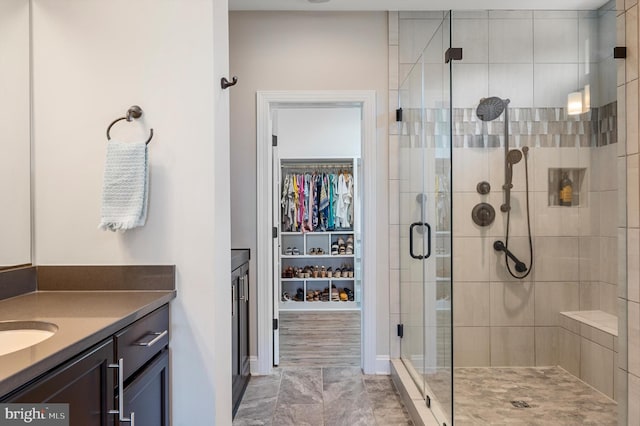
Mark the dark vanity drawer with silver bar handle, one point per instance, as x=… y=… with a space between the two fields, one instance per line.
x=139 y=342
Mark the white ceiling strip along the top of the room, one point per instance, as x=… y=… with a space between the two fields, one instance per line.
x=344 y=5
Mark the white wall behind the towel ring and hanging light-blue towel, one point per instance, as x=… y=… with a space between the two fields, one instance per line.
x=92 y=60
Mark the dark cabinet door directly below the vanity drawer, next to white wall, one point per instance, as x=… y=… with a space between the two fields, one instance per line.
x=148 y=394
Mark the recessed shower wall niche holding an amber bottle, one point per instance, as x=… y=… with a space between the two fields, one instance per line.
x=558 y=181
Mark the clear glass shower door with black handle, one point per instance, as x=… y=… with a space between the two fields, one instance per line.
x=425 y=223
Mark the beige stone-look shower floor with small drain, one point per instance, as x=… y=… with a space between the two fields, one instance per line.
x=492 y=396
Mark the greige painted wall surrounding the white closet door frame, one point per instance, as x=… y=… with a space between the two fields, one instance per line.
x=305 y=51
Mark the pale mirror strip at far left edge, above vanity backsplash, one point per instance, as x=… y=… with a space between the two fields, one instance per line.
x=15 y=146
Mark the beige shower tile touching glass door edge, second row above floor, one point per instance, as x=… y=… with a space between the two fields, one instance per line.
x=471 y=302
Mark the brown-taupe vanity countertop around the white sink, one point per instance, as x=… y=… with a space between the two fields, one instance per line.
x=84 y=318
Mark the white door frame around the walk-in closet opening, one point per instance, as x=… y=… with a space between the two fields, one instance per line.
x=266 y=101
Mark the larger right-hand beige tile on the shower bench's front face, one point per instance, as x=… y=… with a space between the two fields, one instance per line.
x=596 y=366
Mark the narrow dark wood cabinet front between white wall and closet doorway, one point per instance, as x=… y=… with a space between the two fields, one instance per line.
x=240 y=331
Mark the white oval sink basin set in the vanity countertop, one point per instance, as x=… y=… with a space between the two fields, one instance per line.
x=16 y=335
